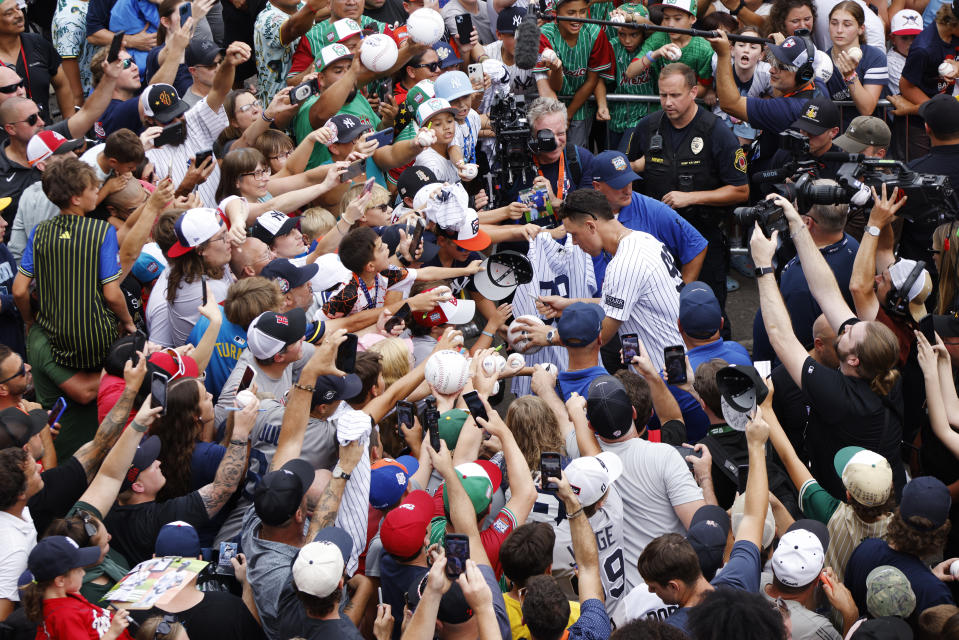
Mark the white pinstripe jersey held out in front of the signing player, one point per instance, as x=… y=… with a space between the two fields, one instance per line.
x=560 y=270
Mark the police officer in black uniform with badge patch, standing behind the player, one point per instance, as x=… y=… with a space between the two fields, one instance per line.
x=692 y=162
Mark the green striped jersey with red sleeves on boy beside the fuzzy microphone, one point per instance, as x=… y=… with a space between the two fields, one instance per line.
x=590 y=53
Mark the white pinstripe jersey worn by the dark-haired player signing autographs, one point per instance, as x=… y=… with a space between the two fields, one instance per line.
x=641 y=290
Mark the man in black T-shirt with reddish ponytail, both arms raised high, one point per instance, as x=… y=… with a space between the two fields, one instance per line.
x=861 y=403
